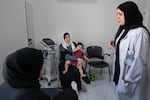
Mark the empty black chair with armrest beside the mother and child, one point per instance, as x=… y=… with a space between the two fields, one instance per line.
x=97 y=56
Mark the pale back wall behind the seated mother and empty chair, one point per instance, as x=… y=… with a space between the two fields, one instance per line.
x=92 y=22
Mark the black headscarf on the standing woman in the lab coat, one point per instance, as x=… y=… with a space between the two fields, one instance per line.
x=133 y=17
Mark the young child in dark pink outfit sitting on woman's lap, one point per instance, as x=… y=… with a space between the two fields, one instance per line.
x=77 y=52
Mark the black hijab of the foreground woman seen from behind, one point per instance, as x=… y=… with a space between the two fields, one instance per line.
x=22 y=68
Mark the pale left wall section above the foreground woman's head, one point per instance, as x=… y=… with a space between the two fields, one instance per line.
x=13 y=33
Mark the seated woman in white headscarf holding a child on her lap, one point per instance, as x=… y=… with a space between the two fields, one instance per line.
x=72 y=76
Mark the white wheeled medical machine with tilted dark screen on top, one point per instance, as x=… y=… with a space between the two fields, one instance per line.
x=49 y=49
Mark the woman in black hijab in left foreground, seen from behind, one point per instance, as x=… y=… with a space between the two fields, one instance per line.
x=21 y=71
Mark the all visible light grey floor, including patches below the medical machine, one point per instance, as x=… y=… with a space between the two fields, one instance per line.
x=100 y=89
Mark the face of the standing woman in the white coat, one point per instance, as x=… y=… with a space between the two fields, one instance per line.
x=120 y=17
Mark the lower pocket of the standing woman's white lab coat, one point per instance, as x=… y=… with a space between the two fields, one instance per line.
x=124 y=88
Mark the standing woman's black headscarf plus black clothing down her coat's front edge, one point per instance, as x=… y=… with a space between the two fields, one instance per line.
x=133 y=19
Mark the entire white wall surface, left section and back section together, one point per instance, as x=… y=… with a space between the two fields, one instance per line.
x=92 y=22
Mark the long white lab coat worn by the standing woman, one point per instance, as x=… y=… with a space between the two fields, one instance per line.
x=134 y=50
